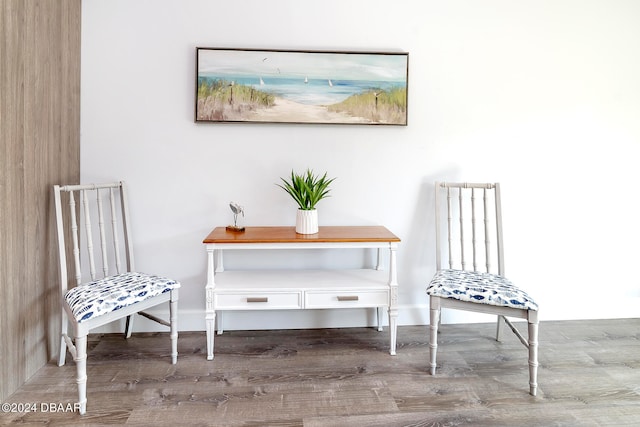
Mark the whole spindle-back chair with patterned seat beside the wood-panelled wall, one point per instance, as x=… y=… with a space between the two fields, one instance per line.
x=98 y=213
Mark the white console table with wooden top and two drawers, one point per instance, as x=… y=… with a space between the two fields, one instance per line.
x=300 y=289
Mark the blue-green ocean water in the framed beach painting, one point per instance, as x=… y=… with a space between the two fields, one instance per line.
x=309 y=91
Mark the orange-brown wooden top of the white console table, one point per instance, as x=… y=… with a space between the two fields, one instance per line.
x=328 y=234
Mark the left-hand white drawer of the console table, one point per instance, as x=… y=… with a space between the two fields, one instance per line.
x=268 y=300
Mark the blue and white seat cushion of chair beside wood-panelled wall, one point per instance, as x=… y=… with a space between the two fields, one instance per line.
x=112 y=293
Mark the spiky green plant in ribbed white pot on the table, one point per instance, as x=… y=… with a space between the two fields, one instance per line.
x=307 y=189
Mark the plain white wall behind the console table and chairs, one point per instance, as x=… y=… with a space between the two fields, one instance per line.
x=543 y=96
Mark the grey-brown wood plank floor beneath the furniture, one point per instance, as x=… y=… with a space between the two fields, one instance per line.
x=589 y=376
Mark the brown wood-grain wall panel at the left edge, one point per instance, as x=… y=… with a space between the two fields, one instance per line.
x=40 y=146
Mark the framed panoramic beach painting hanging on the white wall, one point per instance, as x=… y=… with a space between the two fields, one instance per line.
x=290 y=86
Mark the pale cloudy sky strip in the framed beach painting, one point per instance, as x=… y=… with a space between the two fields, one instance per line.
x=344 y=66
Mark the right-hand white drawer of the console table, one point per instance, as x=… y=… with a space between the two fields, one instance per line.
x=346 y=298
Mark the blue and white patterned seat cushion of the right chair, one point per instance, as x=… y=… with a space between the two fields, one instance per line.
x=483 y=288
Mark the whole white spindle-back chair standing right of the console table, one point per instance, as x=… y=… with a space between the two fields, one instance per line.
x=474 y=218
